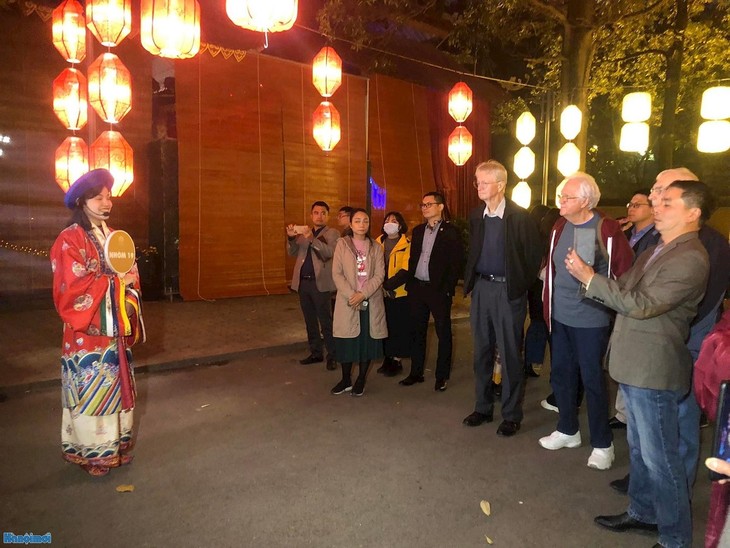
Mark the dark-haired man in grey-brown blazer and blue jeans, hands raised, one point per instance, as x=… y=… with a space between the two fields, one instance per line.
x=656 y=300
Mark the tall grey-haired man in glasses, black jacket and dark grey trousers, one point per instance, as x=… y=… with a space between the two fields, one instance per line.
x=505 y=252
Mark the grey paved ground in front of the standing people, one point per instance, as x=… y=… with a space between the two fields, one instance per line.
x=255 y=452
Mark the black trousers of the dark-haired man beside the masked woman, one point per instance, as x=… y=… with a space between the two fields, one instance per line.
x=425 y=300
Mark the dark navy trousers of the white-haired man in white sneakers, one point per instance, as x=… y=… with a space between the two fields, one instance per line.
x=577 y=353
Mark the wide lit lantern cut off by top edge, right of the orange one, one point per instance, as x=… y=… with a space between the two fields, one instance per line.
x=263 y=15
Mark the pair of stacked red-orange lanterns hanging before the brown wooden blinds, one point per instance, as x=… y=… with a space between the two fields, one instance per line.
x=327 y=78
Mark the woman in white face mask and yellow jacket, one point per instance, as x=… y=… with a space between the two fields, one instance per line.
x=397 y=249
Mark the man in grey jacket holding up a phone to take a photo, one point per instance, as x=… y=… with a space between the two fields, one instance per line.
x=312 y=279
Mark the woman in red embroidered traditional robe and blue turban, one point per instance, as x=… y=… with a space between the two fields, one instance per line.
x=101 y=313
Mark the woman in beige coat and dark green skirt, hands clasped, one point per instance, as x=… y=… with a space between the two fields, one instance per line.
x=359 y=324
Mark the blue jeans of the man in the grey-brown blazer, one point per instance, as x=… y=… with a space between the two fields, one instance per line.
x=658 y=490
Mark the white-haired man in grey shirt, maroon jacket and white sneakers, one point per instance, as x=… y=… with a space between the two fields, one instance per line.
x=580 y=327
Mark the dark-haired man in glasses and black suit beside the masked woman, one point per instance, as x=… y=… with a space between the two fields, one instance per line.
x=434 y=268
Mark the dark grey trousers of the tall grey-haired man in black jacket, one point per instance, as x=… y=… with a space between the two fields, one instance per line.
x=497 y=319
